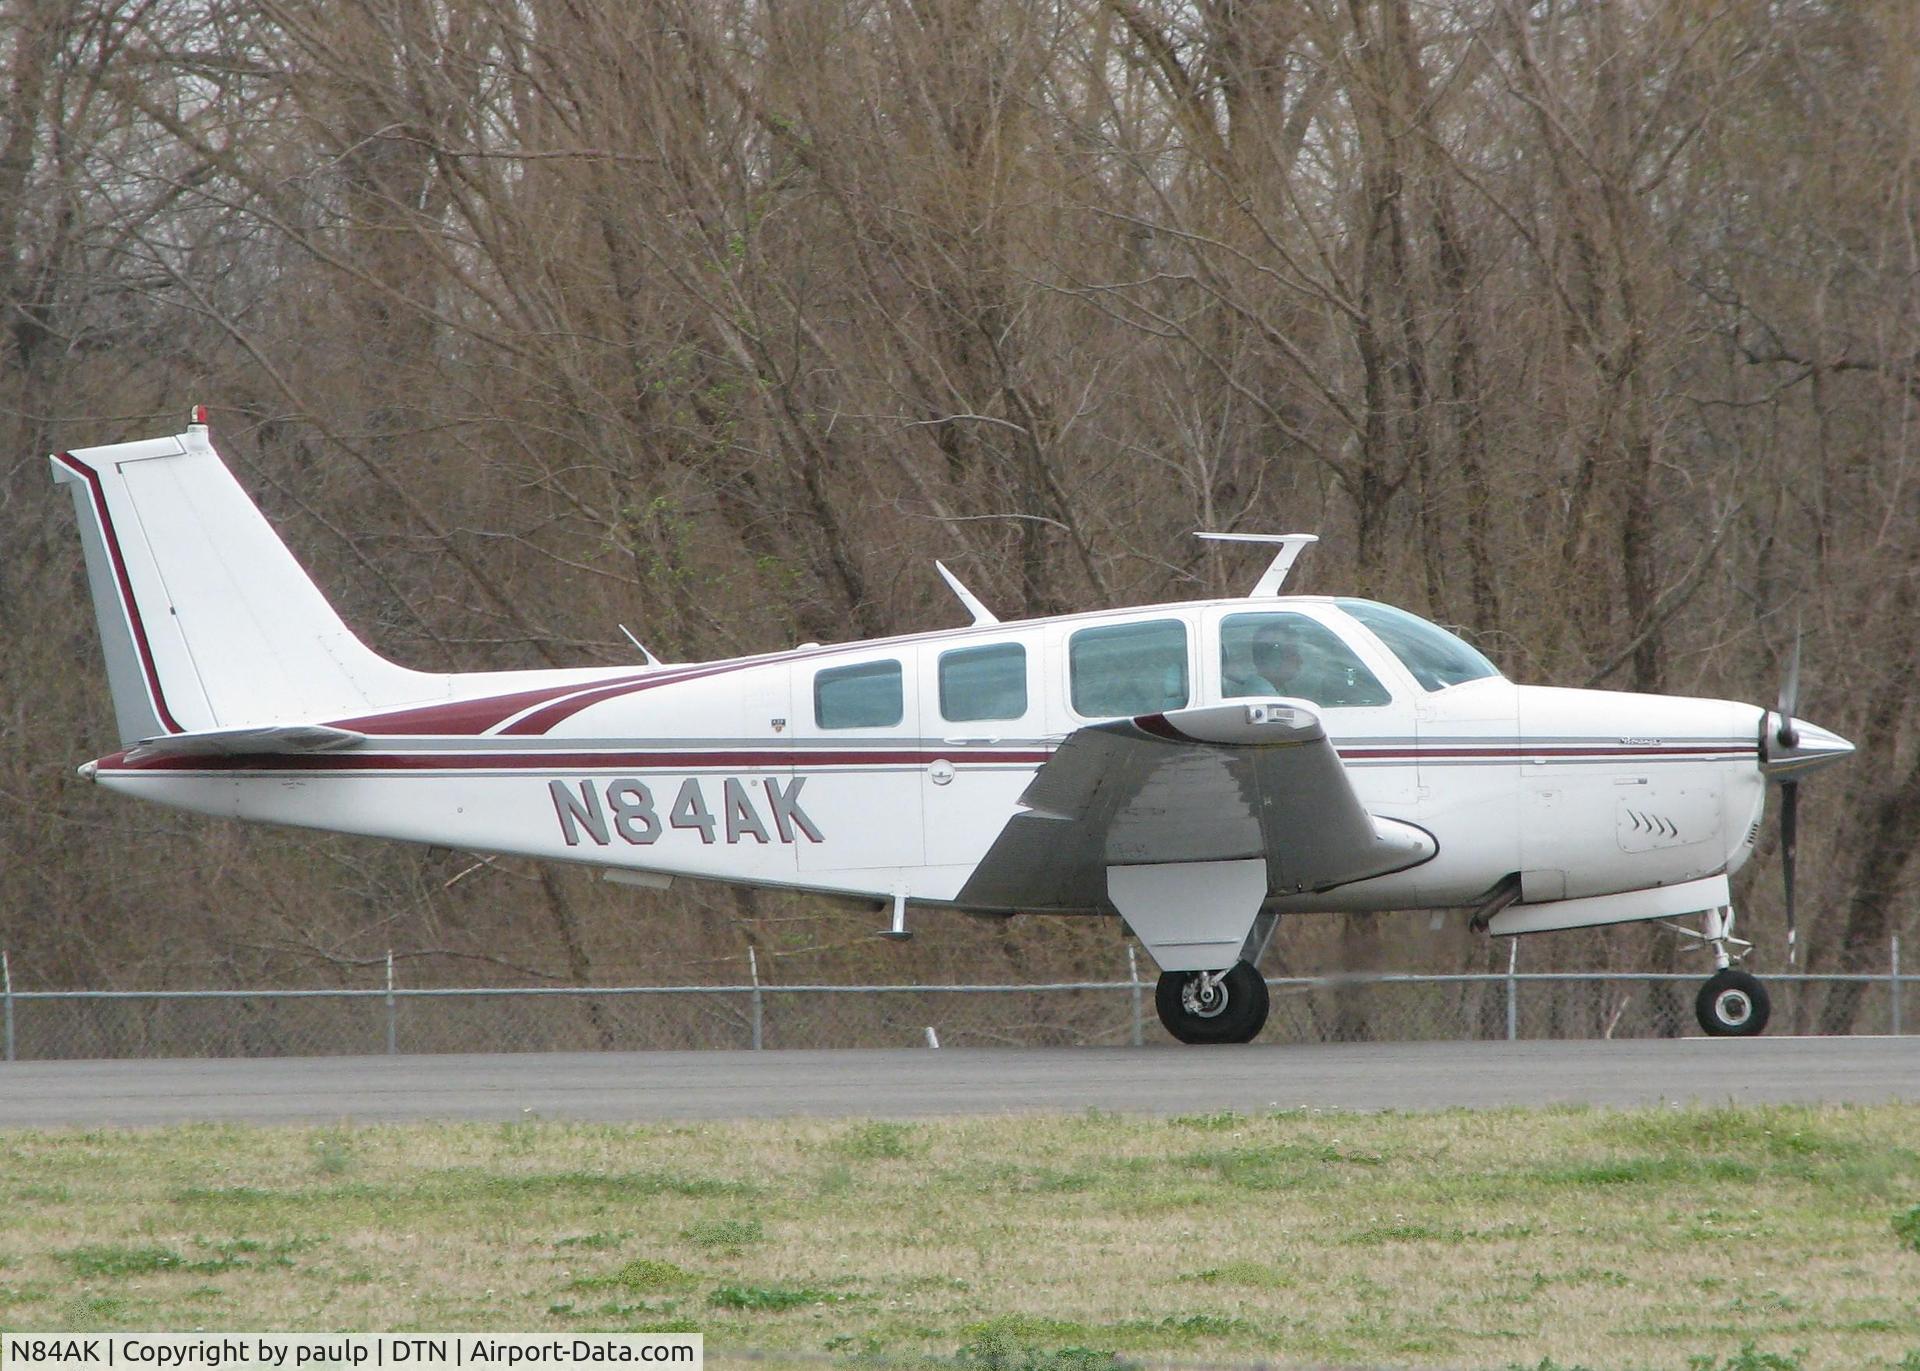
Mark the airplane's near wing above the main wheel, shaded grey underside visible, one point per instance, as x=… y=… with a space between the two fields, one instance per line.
x=1211 y=784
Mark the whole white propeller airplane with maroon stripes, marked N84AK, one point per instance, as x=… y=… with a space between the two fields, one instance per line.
x=1199 y=769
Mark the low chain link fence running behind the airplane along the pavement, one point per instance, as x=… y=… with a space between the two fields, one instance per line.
x=1353 y=1009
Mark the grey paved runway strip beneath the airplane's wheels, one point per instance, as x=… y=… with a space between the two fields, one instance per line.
x=903 y=1084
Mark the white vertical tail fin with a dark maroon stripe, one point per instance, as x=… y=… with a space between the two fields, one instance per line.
x=204 y=615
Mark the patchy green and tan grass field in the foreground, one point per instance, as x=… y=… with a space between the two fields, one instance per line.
x=1677 y=1239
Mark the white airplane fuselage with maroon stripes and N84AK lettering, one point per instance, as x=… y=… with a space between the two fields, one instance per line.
x=846 y=769
